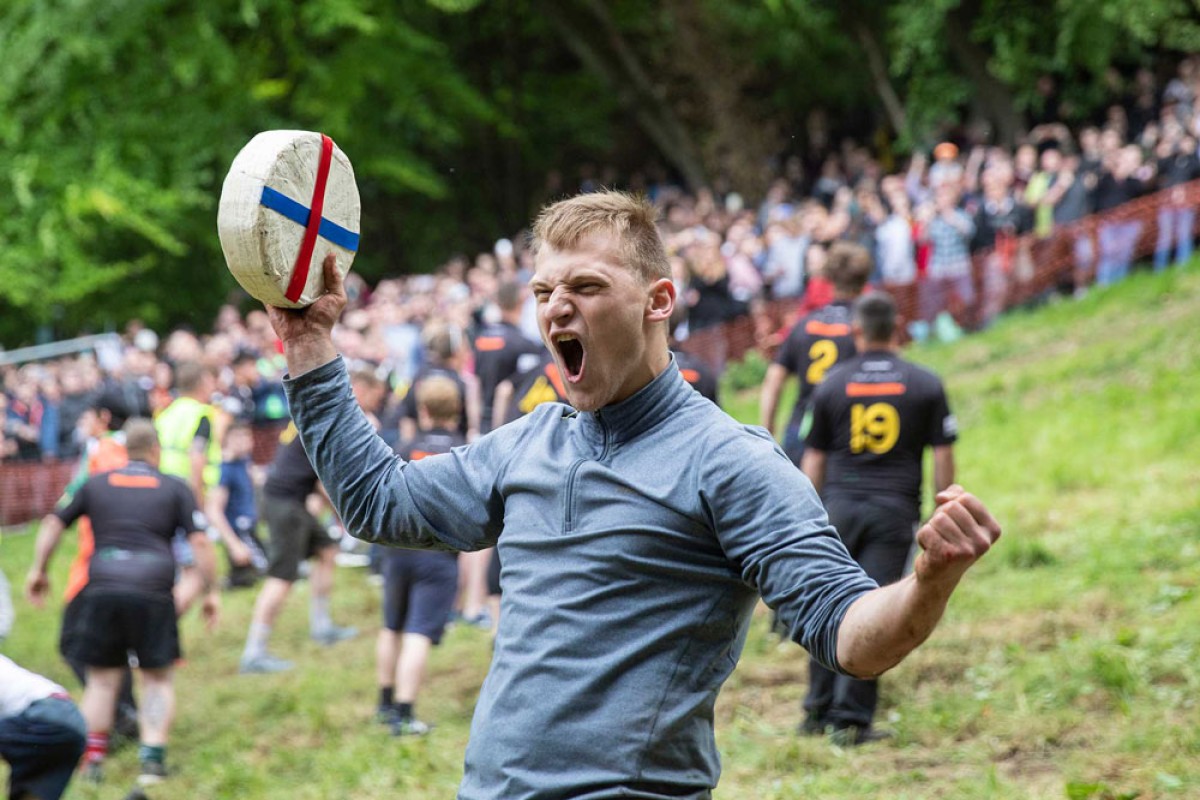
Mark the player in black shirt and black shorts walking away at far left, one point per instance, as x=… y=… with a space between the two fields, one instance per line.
x=128 y=605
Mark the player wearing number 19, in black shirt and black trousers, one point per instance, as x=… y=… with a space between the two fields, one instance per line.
x=872 y=420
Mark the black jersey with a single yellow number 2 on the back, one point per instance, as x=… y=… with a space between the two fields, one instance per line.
x=813 y=347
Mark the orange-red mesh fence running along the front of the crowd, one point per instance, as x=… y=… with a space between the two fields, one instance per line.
x=1004 y=278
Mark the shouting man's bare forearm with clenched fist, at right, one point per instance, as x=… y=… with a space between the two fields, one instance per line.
x=885 y=625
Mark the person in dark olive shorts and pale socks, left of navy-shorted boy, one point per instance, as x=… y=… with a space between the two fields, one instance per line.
x=297 y=536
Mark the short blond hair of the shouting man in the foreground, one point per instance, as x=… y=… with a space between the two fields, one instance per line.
x=573 y=224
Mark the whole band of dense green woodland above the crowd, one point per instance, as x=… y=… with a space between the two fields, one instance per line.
x=119 y=119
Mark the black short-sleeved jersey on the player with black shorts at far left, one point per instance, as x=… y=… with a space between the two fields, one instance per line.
x=135 y=513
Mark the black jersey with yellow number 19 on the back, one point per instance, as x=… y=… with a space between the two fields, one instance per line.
x=874 y=416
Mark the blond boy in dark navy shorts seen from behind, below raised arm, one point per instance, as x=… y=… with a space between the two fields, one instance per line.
x=419 y=587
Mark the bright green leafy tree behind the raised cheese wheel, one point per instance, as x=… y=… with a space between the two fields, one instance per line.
x=121 y=119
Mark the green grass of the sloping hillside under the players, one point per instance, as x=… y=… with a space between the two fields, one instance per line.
x=1066 y=667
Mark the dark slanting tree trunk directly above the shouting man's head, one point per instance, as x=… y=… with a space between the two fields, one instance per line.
x=589 y=32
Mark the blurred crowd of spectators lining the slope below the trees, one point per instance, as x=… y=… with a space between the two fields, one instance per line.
x=931 y=225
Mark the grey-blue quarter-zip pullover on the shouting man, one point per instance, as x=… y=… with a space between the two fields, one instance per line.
x=634 y=540
